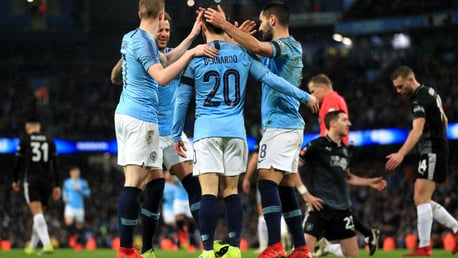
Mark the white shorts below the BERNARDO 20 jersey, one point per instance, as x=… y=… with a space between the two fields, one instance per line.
x=227 y=156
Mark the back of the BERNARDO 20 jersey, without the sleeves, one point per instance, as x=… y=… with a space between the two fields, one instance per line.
x=220 y=85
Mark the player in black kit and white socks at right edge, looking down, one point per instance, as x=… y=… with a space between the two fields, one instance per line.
x=428 y=134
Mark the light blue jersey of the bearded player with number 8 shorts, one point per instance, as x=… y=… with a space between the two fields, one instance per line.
x=277 y=109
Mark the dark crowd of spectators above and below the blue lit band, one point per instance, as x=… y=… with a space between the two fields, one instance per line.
x=79 y=104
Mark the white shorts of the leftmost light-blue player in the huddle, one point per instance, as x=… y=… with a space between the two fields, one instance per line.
x=138 y=142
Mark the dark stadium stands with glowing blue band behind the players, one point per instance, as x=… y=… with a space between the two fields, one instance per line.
x=57 y=56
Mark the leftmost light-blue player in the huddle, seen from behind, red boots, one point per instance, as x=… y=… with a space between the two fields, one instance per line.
x=137 y=131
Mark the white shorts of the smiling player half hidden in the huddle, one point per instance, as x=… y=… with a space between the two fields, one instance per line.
x=169 y=155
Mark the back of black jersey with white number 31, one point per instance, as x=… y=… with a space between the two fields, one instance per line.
x=37 y=152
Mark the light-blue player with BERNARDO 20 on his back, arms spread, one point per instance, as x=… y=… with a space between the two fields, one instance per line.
x=219 y=132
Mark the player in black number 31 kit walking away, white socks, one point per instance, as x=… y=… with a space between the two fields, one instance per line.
x=37 y=164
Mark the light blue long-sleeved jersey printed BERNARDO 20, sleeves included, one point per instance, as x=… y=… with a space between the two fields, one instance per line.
x=219 y=85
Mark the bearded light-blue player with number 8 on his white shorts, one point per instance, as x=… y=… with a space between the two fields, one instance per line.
x=282 y=124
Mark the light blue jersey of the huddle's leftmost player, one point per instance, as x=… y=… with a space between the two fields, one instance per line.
x=139 y=96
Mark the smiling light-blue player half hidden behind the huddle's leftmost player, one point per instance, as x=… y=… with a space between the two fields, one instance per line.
x=181 y=167
